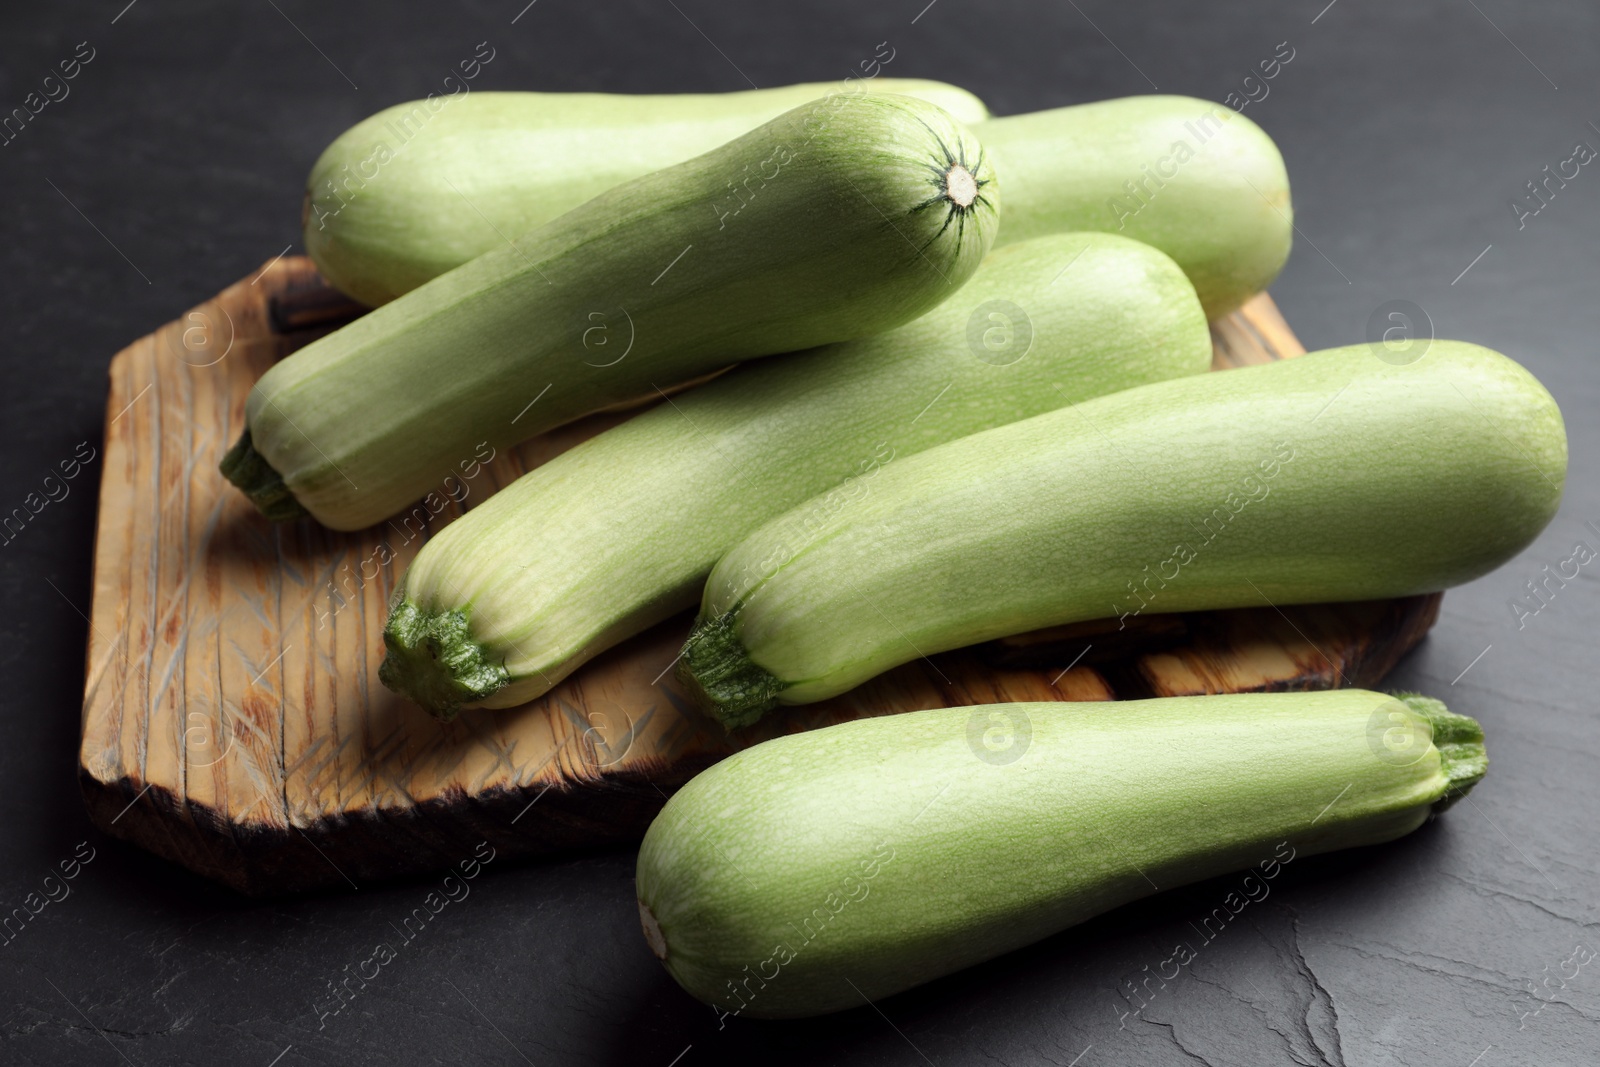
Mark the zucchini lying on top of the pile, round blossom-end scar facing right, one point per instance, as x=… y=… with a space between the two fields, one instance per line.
x=862 y=214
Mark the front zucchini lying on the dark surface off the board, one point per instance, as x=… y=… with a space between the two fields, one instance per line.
x=895 y=850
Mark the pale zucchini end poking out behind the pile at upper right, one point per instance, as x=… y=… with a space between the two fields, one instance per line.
x=1193 y=178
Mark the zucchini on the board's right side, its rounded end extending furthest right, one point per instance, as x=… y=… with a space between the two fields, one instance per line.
x=1338 y=476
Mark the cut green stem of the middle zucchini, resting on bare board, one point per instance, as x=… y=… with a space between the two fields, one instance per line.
x=433 y=658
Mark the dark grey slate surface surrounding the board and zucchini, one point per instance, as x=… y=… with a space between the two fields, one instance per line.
x=178 y=164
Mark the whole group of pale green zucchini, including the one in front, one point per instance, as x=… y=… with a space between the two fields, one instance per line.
x=969 y=398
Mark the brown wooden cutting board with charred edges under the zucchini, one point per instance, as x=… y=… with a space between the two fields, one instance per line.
x=233 y=716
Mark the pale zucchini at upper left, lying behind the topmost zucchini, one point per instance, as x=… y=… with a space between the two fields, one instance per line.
x=425 y=186
